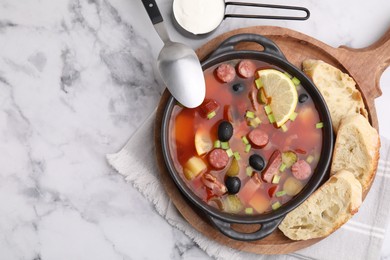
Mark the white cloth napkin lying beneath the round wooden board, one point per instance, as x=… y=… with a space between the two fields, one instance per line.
x=359 y=238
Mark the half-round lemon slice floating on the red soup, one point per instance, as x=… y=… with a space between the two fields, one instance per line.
x=281 y=92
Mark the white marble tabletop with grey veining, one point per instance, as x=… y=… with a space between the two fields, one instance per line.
x=76 y=79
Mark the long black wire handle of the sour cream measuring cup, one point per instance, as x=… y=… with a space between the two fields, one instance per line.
x=275 y=17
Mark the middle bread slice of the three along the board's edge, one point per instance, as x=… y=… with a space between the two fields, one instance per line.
x=356 y=149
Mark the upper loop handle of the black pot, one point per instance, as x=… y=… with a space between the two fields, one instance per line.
x=229 y=44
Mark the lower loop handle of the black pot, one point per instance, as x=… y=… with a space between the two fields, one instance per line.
x=264 y=230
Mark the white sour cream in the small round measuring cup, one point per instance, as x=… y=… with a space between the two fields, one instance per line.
x=199 y=16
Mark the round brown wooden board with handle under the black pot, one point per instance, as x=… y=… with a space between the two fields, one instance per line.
x=296 y=47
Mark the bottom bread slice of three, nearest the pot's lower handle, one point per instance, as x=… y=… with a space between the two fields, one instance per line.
x=329 y=207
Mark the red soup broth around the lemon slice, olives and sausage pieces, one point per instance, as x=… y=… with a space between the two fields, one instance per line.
x=301 y=140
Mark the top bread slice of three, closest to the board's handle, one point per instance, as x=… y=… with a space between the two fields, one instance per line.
x=337 y=88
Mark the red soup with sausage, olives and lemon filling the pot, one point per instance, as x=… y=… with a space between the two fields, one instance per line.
x=253 y=144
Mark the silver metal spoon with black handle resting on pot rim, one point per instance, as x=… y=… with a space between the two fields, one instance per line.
x=178 y=64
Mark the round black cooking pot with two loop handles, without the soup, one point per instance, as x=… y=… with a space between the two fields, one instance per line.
x=269 y=221
